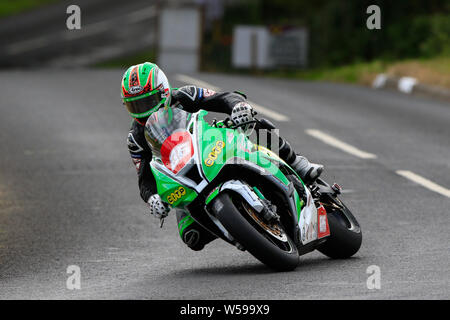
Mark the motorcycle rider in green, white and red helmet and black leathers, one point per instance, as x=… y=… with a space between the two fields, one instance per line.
x=144 y=89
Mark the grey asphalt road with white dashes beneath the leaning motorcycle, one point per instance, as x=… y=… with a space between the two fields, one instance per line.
x=69 y=195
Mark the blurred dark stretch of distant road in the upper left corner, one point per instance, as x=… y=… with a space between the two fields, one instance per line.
x=41 y=37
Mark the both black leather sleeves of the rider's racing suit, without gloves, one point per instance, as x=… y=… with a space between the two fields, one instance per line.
x=190 y=99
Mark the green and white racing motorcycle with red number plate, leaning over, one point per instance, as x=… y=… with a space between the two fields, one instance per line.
x=244 y=193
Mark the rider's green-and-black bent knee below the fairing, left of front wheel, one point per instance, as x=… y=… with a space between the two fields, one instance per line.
x=192 y=234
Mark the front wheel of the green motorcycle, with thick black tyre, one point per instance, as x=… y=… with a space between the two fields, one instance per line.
x=268 y=243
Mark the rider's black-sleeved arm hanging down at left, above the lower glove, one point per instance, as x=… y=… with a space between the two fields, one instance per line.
x=141 y=156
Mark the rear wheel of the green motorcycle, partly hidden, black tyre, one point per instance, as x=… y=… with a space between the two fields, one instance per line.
x=345 y=232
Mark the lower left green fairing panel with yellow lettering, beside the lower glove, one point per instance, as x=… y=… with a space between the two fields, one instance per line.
x=166 y=186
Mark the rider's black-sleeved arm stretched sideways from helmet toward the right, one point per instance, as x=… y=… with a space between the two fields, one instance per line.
x=194 y=98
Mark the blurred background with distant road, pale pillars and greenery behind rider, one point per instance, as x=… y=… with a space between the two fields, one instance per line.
x=312 y=40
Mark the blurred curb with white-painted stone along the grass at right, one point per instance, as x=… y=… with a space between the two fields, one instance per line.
x=410 y=85
